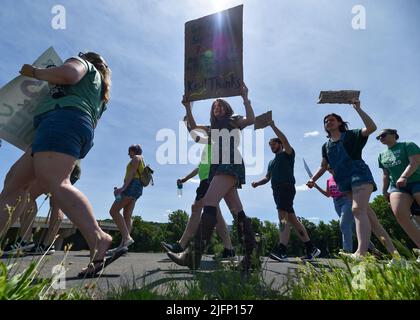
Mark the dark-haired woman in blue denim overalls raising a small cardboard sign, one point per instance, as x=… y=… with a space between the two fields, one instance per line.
x=343 y=152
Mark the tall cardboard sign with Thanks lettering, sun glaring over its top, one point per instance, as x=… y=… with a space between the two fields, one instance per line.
x=213 y=55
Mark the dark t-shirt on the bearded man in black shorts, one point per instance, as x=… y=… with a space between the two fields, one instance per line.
x=281 y=168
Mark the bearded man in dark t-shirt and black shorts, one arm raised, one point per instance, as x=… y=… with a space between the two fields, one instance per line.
x=281 y=174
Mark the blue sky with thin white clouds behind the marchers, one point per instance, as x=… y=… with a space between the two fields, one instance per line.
x=292 y=50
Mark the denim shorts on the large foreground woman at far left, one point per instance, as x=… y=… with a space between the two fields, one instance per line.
x=64 y=130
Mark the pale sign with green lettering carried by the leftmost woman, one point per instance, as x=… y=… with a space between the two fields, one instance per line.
x=18 y=101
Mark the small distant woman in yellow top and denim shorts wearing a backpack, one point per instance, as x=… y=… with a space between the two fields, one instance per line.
x=127 y=195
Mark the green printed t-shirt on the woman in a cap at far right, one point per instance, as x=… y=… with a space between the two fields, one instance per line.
x=395 y=160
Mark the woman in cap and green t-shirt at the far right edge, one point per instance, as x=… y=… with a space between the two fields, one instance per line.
x=400 y=163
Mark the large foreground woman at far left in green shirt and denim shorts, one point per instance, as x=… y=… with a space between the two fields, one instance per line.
x=64 y=127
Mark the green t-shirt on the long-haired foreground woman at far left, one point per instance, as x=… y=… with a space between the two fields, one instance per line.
x=85 y=95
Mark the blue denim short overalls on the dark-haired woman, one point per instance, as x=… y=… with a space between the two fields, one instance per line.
x=348 y=173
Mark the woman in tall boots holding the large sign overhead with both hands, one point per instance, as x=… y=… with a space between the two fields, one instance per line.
x=227 y=174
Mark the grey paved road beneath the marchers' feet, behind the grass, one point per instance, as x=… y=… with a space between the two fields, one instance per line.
x=138 y=269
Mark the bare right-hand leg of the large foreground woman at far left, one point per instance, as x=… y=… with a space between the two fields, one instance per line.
x=52 y=171
